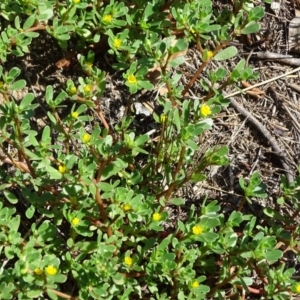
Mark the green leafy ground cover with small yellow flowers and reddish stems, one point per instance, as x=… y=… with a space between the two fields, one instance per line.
x=85 y=204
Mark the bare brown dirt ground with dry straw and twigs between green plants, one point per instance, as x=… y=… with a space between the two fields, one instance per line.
x=276 y=105
